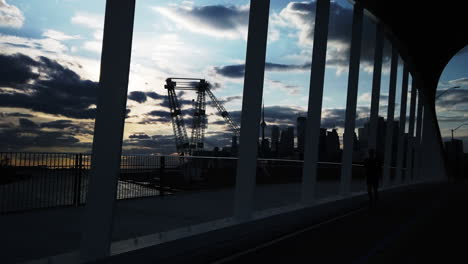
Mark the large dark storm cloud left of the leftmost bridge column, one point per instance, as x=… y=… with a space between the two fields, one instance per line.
x=62 y=92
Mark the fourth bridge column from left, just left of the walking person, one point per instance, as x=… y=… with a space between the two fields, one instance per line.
x=351 y=100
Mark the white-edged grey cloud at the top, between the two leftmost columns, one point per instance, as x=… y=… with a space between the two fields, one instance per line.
x=214 y=20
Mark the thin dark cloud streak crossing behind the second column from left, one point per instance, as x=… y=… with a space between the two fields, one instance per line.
x=238 y=70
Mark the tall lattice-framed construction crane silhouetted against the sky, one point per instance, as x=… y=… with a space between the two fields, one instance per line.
x=184 y=144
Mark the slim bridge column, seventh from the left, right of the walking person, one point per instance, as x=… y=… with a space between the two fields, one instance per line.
x=401 y=133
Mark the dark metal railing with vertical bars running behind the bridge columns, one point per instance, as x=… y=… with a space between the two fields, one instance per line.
x=45 y=180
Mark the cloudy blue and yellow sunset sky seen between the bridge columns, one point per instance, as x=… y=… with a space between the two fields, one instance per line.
x=50 y=60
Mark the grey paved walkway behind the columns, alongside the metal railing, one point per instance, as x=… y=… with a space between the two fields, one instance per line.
x=42 y=233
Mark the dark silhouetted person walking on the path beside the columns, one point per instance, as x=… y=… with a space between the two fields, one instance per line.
x=373 y=169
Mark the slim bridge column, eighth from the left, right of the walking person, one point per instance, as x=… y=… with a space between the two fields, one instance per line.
x=410 y=147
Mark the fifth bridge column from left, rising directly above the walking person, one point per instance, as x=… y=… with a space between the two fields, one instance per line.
x=376 y=80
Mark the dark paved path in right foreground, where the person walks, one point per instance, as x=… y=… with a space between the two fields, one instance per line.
x=421 y=225
